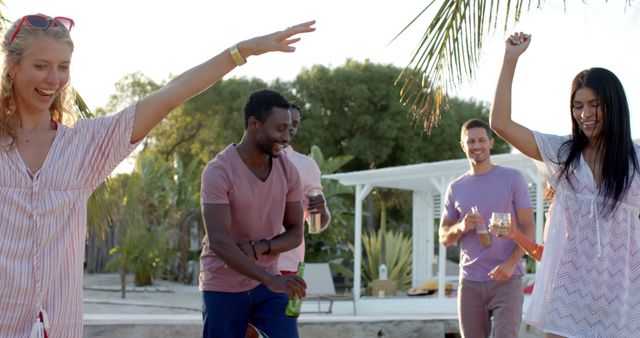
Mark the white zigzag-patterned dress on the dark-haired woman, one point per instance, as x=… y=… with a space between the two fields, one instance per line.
x=588 y=282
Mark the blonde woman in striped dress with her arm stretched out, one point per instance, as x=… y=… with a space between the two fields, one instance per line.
x=49 y=169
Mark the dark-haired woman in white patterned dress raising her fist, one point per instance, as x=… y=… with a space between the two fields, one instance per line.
x=588 y=283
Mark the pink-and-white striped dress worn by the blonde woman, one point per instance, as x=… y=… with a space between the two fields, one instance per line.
x=43 y=223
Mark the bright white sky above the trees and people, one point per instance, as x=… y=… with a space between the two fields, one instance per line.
x=158 y=38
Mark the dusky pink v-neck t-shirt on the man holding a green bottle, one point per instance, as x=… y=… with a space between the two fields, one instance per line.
x=257 y=212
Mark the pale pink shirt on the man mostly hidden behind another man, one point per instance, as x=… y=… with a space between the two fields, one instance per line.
x=310 y=176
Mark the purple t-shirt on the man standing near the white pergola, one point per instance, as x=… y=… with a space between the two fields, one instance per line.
x=499 y=190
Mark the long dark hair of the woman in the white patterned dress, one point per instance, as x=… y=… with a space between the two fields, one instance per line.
x=615 y=149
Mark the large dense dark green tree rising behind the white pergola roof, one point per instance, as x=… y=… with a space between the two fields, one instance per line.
x=356 y=109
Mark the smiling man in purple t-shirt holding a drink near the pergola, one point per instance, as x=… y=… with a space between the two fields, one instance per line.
x=490 y=277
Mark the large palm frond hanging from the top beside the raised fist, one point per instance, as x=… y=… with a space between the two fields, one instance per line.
x=449 y=51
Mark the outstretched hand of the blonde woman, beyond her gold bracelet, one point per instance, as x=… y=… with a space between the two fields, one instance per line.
x=280 y=41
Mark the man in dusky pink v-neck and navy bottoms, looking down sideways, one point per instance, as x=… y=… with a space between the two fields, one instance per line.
x=249 y=193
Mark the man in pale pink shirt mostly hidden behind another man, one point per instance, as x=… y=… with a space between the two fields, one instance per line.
x=313 y=198
